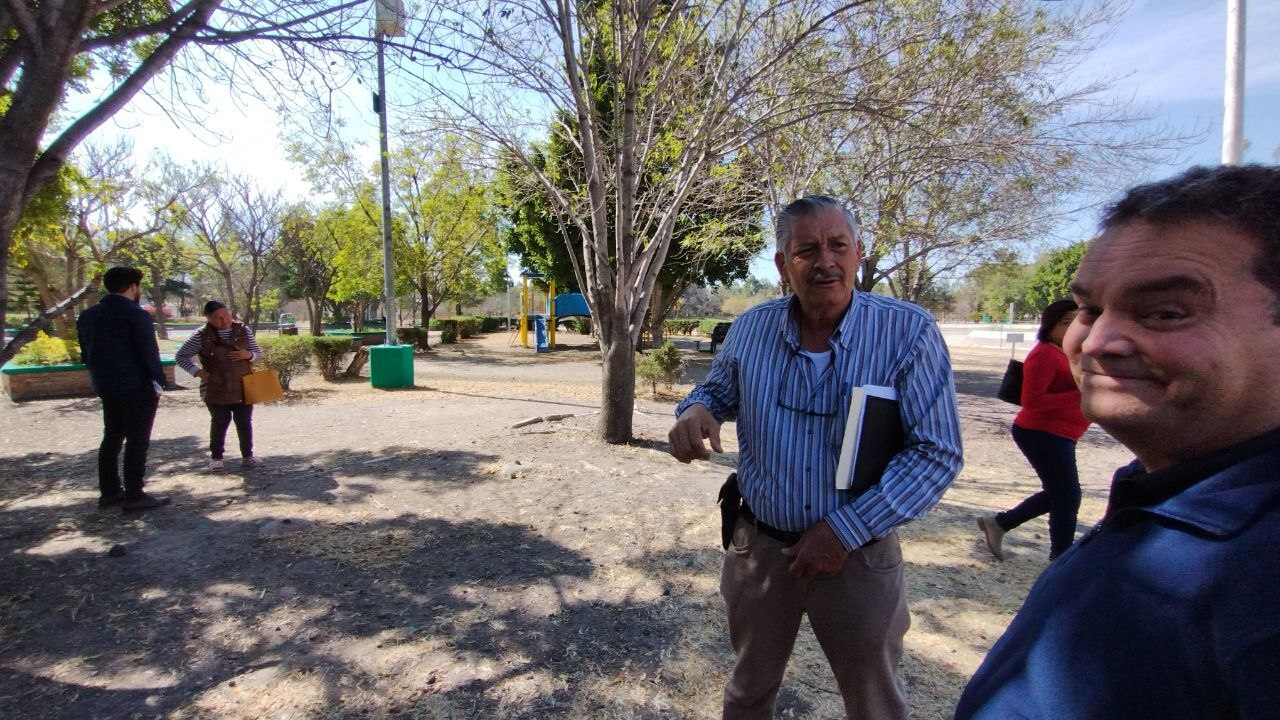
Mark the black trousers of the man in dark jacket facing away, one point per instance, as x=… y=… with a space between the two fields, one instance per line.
x=126 y=423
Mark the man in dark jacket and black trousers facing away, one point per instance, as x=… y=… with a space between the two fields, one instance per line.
x=118 y=344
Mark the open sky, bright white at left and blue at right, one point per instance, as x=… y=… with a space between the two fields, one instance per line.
x=1168 y=57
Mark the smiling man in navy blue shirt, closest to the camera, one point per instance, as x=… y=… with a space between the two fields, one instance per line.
x=1171 y=608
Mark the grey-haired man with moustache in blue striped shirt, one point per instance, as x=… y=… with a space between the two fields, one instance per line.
x=802 y=546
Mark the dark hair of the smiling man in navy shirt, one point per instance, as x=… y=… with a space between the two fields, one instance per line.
x=1246 y=198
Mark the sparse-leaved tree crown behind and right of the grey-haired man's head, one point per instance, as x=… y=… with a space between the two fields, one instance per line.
x=990 y=147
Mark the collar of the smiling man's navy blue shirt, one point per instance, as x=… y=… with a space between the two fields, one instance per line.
x=1219 y=494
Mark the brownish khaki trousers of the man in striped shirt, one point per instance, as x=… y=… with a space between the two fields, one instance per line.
x=860 y=618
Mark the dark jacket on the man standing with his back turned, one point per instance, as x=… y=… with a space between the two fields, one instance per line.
x=118 y=344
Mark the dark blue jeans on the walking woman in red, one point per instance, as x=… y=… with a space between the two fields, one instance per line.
x=1054 y=459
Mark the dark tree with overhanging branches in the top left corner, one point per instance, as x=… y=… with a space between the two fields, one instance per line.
x=115 y=48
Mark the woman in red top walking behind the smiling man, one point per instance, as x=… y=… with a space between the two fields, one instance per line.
x=1046 y=431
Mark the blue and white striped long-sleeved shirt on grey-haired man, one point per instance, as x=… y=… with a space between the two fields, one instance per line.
x=790 y=423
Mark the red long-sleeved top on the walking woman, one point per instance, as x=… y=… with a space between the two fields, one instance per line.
x=1052 y=400
